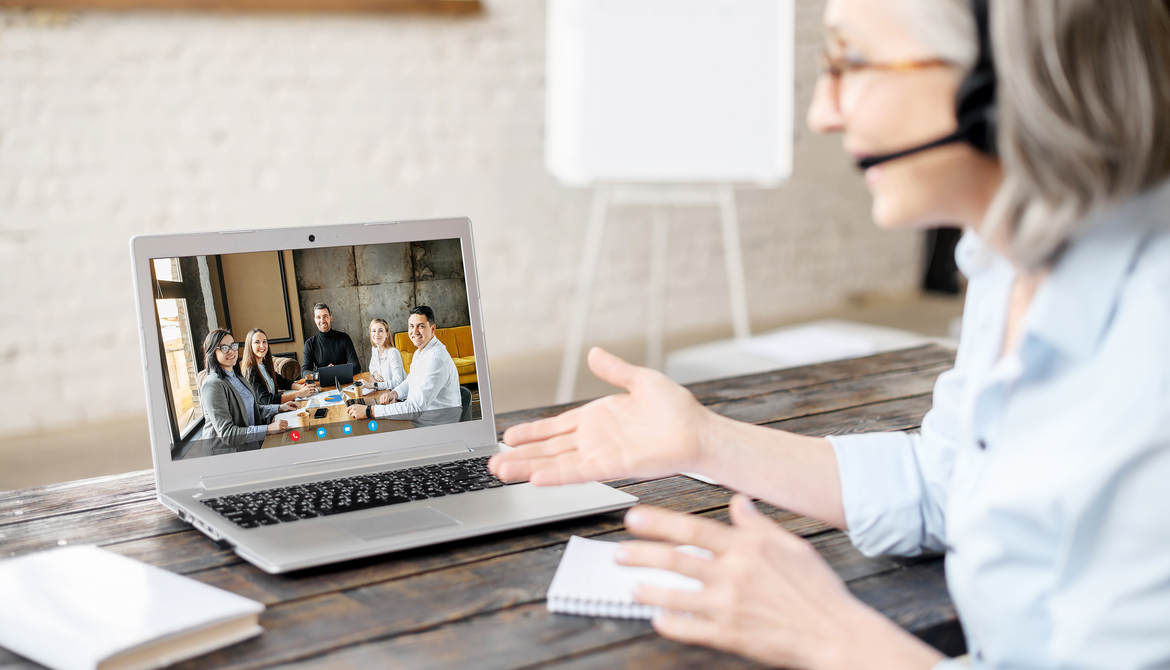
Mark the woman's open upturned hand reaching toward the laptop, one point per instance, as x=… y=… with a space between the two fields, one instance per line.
x=655 y=430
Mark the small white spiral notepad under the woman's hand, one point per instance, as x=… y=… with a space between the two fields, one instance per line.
x=590 y=583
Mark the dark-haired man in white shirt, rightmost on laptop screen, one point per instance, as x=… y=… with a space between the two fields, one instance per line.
x=430 y=396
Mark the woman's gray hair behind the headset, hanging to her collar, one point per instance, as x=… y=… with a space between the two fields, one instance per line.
x=1084 y=116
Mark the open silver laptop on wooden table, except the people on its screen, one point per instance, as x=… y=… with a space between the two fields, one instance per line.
x=328 y=488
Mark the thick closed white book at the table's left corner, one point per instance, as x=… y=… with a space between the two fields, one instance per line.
x=85 y=609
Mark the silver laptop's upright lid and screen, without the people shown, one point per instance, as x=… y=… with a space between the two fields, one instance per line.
x=189 y=286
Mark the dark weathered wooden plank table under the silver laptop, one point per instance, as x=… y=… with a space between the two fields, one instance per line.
x=480 y=603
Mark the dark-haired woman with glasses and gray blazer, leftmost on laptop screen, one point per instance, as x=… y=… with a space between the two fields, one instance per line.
x=233 y=413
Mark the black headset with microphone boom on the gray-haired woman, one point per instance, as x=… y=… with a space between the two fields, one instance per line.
x=975 y=103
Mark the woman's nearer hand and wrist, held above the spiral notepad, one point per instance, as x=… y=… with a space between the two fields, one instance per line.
x=767 y=595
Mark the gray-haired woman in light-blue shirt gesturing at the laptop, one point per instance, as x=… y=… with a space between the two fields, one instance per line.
x=1043 y=467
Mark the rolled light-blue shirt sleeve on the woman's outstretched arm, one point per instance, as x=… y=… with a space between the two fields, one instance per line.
x=894 y=485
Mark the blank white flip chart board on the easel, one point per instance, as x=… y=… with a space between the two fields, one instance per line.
x=670 y=92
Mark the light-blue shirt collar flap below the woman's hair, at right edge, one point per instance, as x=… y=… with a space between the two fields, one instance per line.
x=1076 y=305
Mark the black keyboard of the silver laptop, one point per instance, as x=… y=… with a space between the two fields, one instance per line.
x=354 y=494
